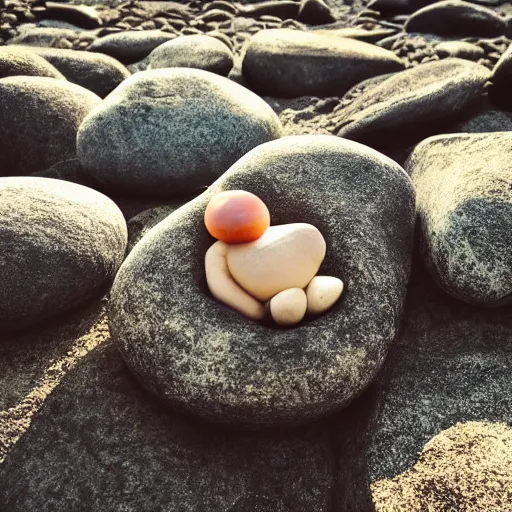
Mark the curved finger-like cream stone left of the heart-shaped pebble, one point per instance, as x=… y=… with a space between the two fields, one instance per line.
x=224 y=288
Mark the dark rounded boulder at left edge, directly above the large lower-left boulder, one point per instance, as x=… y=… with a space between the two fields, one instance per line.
x=29 y=107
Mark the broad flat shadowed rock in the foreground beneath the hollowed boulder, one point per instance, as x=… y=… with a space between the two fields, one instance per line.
x=99 y=442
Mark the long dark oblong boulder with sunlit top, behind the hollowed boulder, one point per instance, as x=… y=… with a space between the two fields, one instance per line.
x=291 y=63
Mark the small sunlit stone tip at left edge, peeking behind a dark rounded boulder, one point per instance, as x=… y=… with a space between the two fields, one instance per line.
x=16 y=61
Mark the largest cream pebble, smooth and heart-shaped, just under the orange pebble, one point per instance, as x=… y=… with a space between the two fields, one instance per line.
x=286 y=256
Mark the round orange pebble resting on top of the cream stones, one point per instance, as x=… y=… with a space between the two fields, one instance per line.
x=236 y=217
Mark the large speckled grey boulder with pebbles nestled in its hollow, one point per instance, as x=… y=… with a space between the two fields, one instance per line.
x=210 y=361
